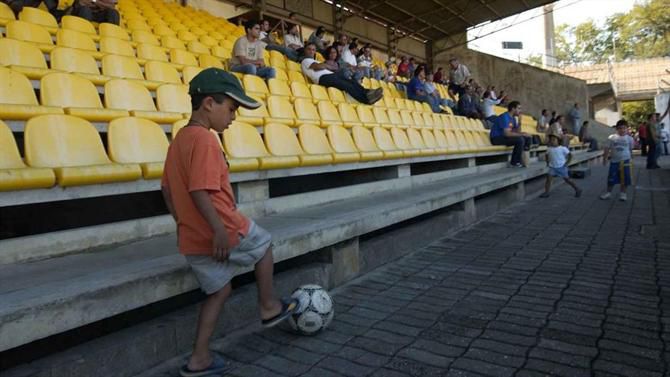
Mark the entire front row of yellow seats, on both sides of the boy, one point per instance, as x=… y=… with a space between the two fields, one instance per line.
x=67 y=150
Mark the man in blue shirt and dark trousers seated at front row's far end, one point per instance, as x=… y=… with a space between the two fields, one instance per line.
x=504 y=132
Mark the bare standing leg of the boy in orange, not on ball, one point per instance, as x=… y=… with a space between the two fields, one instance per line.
x=209 y=314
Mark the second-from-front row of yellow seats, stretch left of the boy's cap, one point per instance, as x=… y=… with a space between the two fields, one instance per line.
x=72 y=94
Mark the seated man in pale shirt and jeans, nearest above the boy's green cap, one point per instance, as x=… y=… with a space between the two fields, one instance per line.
x=248 y=53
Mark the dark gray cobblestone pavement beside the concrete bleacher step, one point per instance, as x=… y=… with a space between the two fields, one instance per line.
x=559 y=286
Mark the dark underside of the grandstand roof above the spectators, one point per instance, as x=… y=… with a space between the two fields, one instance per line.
x=437 y=19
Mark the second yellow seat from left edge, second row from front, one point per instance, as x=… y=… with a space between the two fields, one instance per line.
x=77 y=96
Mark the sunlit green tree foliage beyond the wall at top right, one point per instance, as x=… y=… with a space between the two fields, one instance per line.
x=643 y=32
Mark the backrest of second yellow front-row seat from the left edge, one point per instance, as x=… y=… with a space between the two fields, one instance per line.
x=53 y=141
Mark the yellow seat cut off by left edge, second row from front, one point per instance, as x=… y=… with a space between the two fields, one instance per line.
x=17 y=97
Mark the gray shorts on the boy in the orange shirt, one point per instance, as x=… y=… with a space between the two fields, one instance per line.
x=213 y=275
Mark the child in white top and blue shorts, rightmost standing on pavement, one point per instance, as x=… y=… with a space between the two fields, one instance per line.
x=619 y=149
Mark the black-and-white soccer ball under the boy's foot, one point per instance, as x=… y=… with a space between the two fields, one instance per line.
x=314 y=312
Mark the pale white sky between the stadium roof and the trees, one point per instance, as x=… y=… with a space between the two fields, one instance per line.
x=531 y=32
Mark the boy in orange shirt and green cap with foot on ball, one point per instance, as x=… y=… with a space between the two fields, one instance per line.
x=216 y=239
